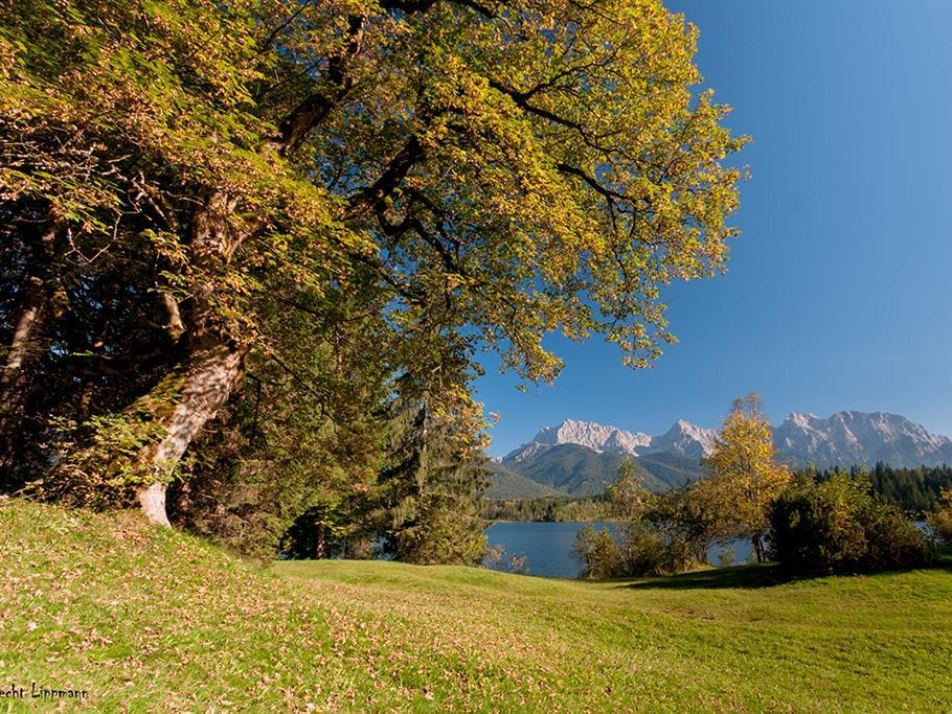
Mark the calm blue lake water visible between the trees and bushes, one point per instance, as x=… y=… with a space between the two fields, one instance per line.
x=547 y=547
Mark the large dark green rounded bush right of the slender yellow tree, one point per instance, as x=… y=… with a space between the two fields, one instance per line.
x=839 y=527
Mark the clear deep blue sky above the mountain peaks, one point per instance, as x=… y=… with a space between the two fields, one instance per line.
x=839 y=291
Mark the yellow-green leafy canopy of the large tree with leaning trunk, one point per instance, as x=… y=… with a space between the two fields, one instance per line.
x=515 y=167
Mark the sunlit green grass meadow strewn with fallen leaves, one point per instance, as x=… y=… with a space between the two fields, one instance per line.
x=153 y=620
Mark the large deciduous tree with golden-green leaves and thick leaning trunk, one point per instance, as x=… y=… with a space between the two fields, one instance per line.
x=170 y=168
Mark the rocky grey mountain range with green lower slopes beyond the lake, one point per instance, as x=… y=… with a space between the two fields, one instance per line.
x=581 y=458
